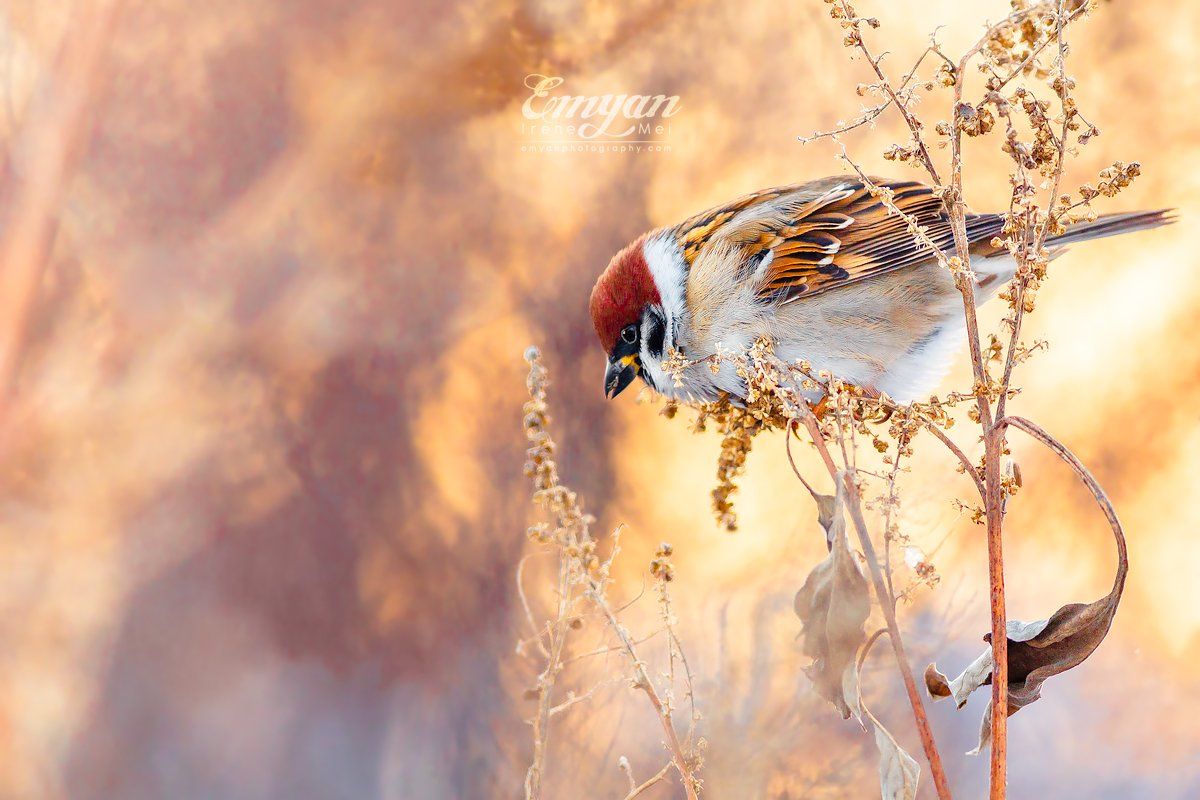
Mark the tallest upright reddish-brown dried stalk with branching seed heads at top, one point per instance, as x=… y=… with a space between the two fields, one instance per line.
x=1017 y=44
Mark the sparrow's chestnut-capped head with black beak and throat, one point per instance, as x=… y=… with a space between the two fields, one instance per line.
x=627 y=312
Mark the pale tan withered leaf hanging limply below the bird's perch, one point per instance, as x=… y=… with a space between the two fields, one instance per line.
x=833 y=606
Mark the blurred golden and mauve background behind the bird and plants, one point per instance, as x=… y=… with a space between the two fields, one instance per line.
x=269 y=272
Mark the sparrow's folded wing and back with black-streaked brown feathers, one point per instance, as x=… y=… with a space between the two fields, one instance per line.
x=800 y=242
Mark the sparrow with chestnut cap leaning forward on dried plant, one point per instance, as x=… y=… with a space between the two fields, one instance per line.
x=820 y=269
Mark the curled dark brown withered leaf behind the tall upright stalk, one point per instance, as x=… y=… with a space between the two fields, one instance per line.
x=1037 y=651
